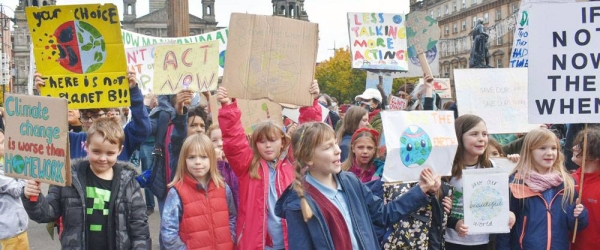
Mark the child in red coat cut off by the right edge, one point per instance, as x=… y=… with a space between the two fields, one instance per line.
x=588 y=238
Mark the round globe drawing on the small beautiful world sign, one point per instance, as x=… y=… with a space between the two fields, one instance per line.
x=486 y=203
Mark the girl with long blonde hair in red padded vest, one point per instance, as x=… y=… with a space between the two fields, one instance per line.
x=199 y=210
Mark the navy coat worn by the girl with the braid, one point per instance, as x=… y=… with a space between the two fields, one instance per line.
x=365 y=208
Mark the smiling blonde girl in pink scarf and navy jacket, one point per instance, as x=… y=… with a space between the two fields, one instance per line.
x=542 y=197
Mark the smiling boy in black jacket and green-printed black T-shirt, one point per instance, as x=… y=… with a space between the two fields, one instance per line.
x=115 y=217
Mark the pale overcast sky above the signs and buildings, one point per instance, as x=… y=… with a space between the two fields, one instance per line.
x=329 y=14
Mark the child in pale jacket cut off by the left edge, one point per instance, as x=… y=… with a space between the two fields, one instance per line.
x=13 y=226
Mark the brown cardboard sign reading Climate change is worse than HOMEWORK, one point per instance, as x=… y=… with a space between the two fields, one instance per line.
x=36 y=142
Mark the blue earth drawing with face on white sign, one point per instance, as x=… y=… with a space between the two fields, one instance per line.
x=415 y=146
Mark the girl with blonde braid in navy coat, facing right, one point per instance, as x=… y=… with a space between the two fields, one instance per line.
x=327 y=208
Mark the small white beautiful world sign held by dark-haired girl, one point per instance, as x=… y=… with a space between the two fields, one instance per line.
x=485 y=199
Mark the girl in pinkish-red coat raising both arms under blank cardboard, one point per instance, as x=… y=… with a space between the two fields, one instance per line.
x=264 y=169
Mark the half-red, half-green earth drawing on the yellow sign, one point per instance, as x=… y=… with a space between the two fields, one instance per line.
x=81 y=47
